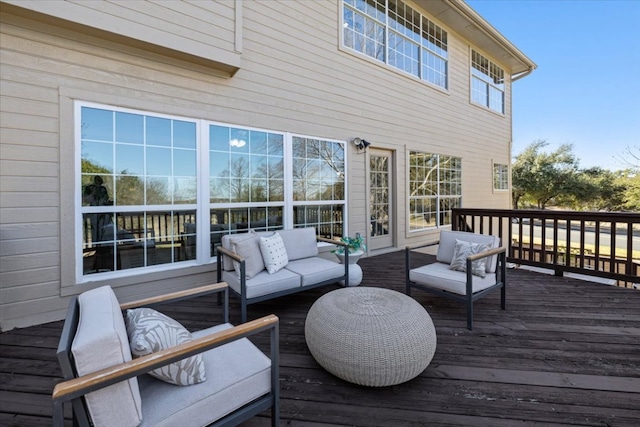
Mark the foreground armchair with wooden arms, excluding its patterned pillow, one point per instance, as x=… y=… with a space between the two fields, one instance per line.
x=107 y=387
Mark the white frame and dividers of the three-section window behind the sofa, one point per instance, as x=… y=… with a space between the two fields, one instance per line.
x=204 y=207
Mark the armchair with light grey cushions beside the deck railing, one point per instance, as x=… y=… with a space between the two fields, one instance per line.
x=460 y=285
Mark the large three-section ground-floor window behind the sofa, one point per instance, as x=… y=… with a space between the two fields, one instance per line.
x=141 y=205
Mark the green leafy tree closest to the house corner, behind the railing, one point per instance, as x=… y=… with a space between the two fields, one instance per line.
x=539 y=177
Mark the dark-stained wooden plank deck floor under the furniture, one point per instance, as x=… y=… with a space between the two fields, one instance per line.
x=565 y=352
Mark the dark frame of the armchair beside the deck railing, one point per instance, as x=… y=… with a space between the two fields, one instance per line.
x=470 y=297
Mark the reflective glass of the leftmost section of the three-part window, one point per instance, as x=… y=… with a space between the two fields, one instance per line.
x=134 y=168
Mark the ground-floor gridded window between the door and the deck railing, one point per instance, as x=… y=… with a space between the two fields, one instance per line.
x=435 y=185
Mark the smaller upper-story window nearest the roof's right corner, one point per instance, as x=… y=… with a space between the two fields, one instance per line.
x=487 y=83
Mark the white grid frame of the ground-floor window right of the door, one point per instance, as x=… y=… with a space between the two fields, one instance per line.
x=440 y=198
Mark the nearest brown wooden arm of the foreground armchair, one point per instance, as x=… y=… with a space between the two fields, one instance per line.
x=80 y=386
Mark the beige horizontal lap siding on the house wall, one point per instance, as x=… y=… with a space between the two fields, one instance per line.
x=294 y=77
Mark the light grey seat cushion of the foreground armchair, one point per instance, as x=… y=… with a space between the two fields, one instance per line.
x=242 y=374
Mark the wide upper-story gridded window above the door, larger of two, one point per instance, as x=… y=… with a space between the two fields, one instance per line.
x=396 y=34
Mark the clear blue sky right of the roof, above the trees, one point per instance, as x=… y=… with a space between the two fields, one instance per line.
x=586 y=89
